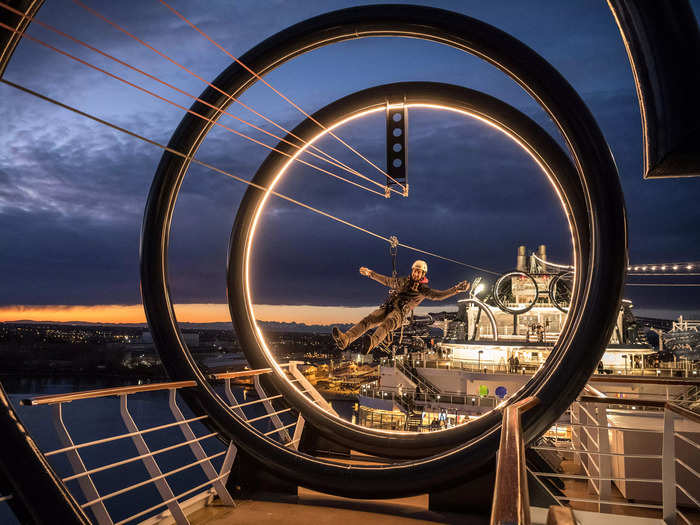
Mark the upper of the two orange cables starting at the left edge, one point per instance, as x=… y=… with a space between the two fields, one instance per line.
x=327 y=157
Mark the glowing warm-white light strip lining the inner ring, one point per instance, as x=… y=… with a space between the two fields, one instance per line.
x=249 y=303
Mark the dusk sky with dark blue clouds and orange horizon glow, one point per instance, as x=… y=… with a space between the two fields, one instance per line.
x=72 y=192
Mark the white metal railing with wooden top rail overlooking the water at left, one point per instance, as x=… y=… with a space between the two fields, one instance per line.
x=191 y=436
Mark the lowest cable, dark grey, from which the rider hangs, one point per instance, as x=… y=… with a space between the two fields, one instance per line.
x=228 y=174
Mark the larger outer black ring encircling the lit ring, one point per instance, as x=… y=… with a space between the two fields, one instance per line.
x=600 y=233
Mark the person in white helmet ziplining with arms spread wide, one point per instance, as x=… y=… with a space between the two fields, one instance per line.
x=406 y=293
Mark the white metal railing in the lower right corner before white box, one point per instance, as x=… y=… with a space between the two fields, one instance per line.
x=598 y=447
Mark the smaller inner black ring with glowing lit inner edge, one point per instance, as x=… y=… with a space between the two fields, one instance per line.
x=515 y=125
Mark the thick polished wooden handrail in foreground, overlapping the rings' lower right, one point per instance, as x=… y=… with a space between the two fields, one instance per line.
x=511 y=503
